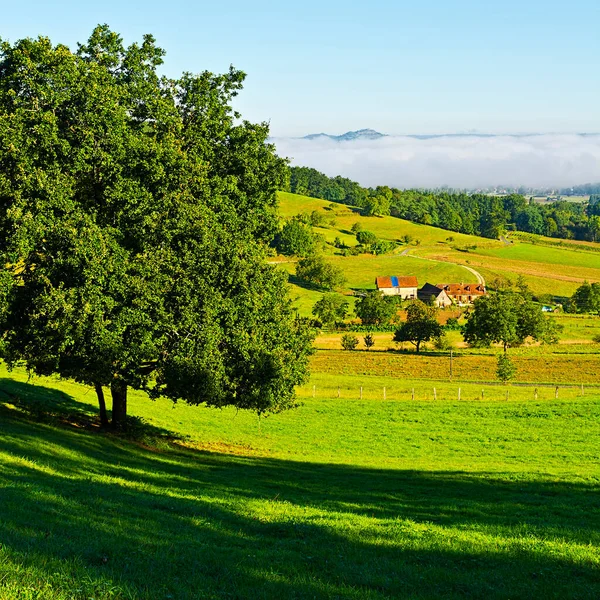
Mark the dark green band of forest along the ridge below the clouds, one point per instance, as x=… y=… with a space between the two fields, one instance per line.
x=477 y=214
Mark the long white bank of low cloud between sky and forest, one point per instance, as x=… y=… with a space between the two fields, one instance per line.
x=539 y=161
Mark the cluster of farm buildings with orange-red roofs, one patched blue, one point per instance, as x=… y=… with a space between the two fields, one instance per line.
x=441 y=294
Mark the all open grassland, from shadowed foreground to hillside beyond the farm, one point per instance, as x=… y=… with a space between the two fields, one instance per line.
x=389 y=480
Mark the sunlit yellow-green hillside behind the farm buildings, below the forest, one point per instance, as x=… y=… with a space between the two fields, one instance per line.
x=549 y=266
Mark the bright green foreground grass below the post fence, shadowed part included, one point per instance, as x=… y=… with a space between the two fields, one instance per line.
x=337 y=499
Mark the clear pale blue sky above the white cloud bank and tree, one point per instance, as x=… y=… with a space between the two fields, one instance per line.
x=393 y=65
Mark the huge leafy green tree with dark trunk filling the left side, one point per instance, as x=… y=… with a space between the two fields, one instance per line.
x=135 y=213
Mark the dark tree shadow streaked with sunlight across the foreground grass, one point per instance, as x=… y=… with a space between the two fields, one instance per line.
x=186 y=524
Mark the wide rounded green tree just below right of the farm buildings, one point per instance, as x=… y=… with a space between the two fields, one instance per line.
x=508 y=318
